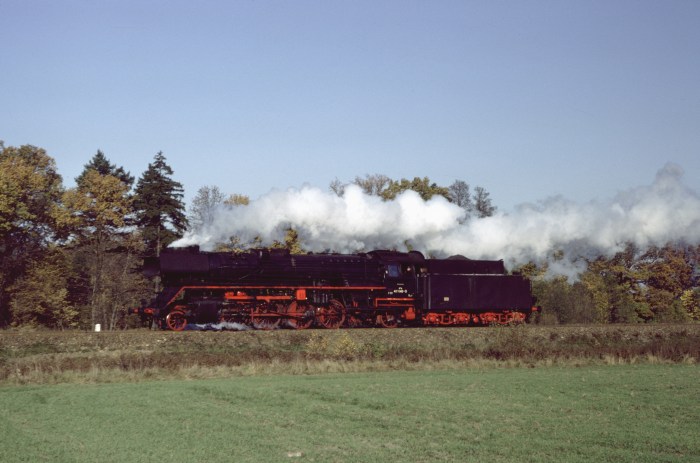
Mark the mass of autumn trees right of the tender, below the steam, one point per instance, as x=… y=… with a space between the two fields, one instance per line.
x=631 y=286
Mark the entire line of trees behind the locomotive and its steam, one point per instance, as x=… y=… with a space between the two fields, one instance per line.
x=71 y=257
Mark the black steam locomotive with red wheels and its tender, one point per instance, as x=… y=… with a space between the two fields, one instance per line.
x=271 y=288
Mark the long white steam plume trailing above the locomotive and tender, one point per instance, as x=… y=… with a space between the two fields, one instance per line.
x=666 y=210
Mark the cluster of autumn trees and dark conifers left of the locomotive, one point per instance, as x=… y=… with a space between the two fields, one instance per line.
x=69 y=257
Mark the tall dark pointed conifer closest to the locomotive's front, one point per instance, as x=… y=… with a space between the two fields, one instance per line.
x=160 y=211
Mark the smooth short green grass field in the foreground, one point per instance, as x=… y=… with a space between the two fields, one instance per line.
x=635 y=413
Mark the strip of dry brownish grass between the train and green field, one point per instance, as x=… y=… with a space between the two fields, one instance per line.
x=41 y=357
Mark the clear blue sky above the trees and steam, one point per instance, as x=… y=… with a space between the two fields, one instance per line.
x=527 y=98
